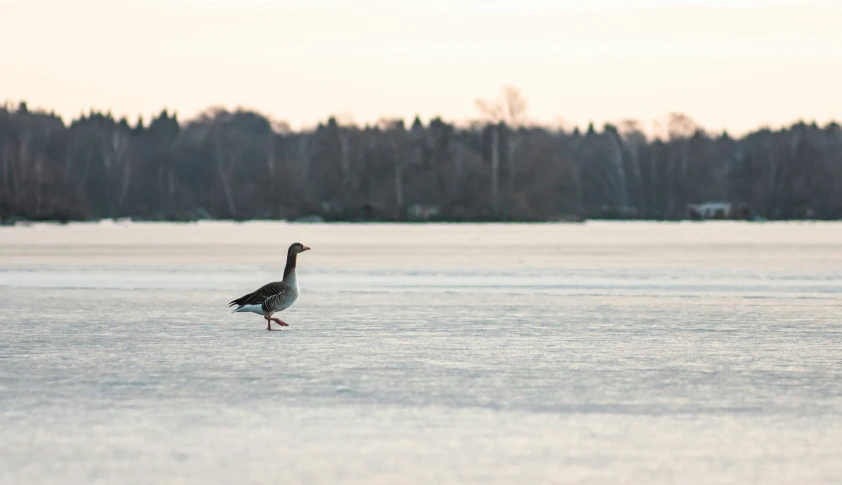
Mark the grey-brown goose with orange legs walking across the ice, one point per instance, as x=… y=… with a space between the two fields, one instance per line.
x=273 y=297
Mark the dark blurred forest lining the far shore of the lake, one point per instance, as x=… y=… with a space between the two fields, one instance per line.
x=240 y=165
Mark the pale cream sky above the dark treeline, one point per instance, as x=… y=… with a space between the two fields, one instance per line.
x=736 y=64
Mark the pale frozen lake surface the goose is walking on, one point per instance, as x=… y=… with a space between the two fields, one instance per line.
x=598 y=353
